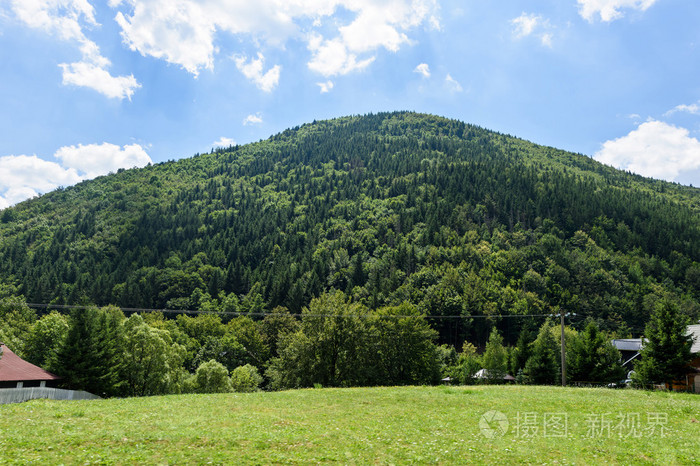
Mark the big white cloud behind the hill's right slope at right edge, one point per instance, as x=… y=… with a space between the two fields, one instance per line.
x=655 y=149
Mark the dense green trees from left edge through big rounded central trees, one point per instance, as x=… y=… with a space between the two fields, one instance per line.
x=334 y=343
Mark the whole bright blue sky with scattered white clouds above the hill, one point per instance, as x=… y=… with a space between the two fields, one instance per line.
x=88 y=87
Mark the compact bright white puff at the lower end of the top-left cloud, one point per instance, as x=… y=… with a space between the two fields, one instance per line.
x=88 y=75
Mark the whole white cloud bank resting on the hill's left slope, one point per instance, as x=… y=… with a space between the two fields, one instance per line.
x=25 y=176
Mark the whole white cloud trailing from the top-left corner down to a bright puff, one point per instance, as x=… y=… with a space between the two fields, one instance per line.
x=65 y=19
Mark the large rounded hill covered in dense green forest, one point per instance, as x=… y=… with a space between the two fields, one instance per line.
x=389 y=208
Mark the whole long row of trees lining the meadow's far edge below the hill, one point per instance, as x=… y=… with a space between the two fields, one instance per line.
x=334 y=343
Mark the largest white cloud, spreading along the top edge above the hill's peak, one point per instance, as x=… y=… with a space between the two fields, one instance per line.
x=183 y=32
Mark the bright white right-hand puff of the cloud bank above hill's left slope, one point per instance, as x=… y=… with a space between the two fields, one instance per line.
x=99 y=159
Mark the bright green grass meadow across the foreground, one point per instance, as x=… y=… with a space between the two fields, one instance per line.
x=361 y=425
